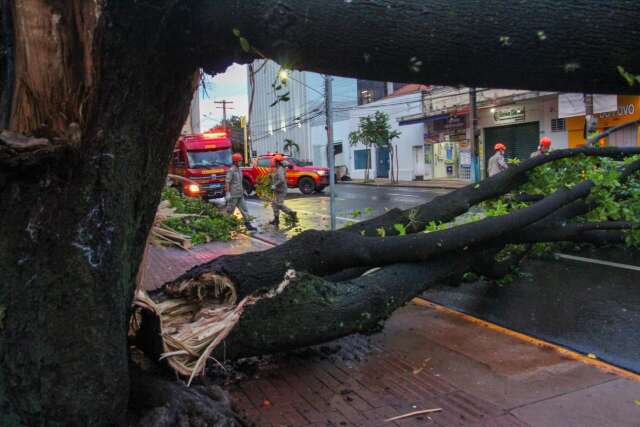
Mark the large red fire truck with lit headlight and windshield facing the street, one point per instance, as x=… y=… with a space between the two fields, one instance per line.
x=203 y=160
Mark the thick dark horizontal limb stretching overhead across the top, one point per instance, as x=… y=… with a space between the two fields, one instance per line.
x=530 y=45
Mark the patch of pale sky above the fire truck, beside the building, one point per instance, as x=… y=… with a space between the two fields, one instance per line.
x=230 y=85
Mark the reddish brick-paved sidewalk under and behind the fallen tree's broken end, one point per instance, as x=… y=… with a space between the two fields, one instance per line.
x=424 y=358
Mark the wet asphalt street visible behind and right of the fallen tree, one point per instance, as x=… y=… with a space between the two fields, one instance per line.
x=588 y=301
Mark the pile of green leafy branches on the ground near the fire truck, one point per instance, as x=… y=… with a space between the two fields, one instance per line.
x=209 y=224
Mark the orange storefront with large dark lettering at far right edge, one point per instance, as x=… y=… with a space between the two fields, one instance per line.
x=628 y=110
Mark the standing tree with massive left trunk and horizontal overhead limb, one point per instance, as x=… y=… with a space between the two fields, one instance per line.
x=93 y=98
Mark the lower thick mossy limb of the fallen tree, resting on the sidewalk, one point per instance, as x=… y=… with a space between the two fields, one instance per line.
x=312 y=310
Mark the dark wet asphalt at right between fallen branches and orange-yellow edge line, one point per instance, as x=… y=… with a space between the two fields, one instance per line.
x=590 y=308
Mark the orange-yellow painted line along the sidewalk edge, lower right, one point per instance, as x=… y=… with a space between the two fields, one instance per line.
x=604 y=366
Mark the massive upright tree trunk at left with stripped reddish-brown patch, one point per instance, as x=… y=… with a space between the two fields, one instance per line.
x=100 y=85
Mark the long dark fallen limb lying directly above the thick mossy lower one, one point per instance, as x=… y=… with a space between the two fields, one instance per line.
x=323 y=253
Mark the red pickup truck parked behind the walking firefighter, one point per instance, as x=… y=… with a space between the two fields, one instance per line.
x=305 y=178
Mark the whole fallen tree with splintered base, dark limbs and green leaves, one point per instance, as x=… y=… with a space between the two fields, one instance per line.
x=288 y=297
